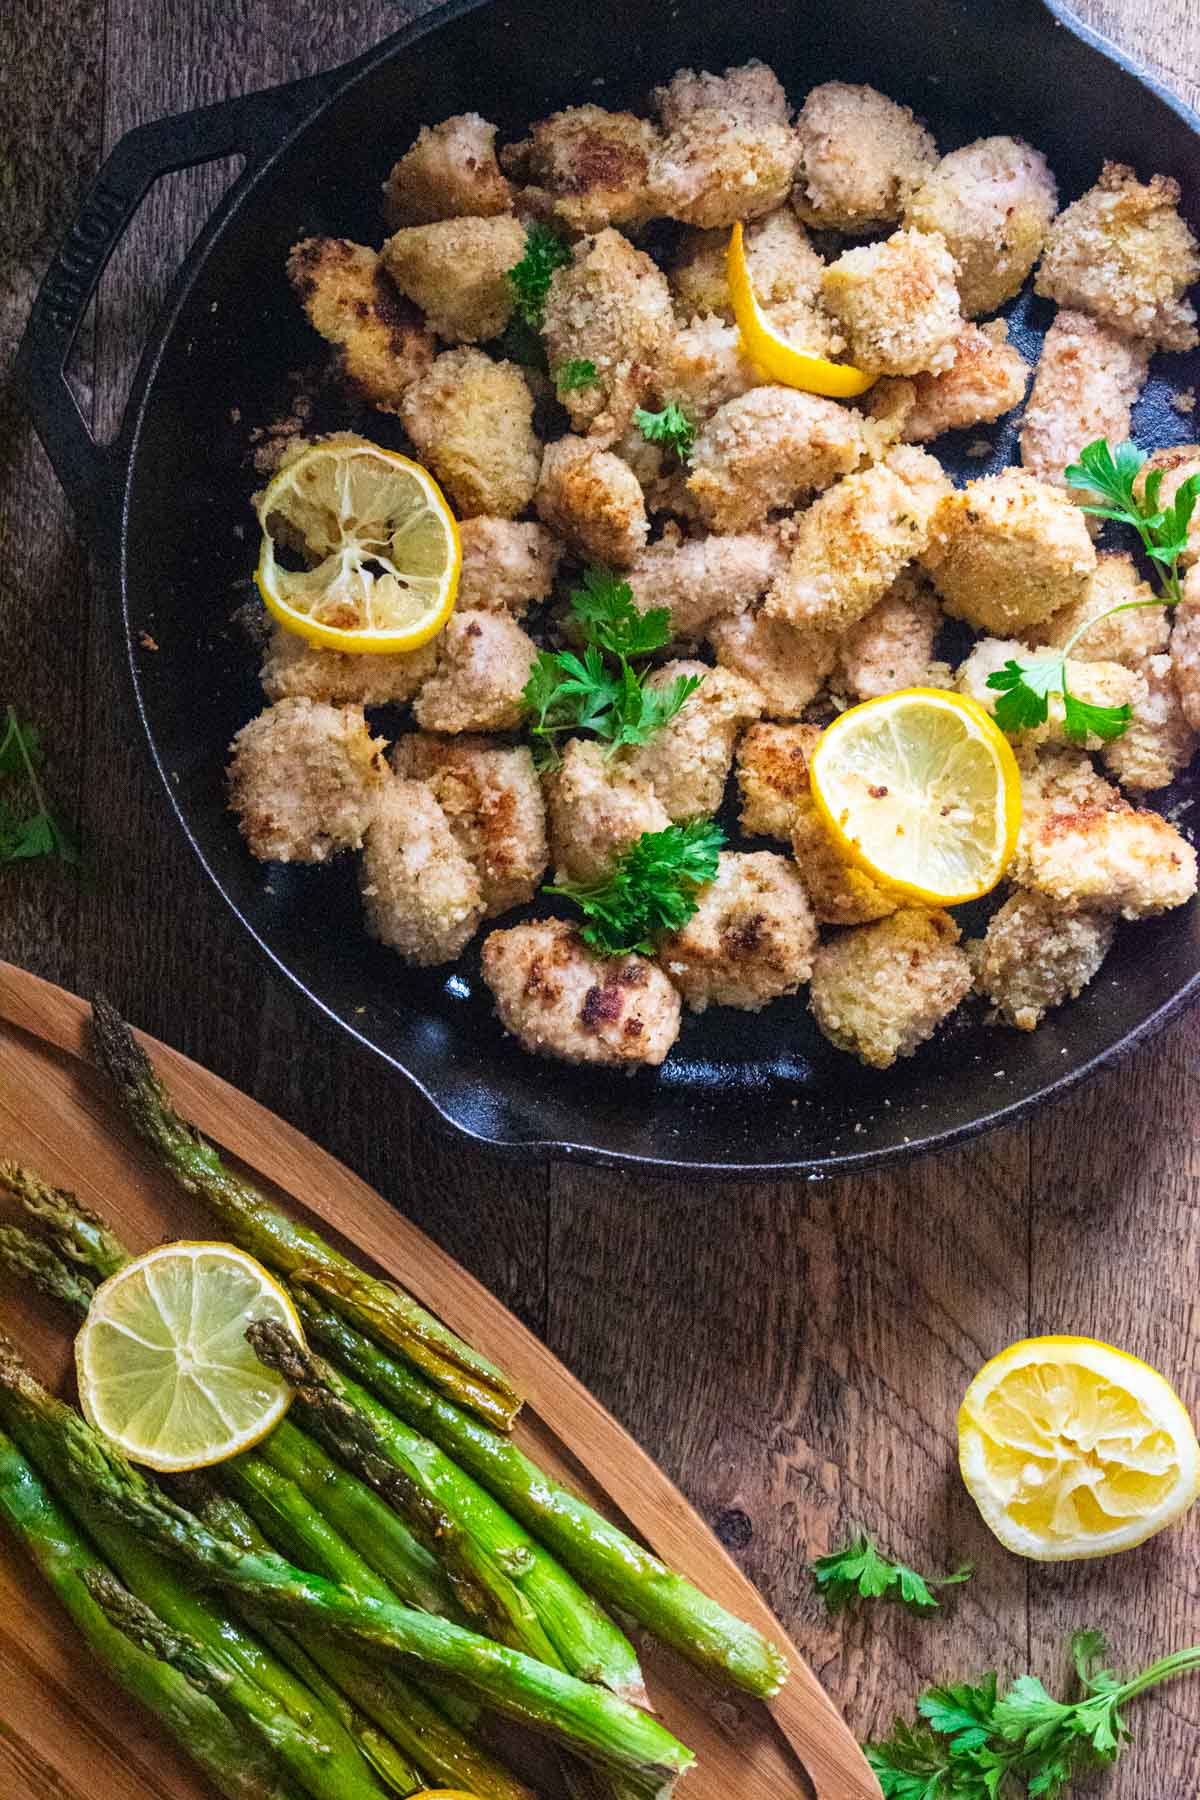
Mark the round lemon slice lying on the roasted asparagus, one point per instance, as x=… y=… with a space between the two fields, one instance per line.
x=165 y=1365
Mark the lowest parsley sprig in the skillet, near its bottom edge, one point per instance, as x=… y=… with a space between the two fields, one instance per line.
x=650 y=890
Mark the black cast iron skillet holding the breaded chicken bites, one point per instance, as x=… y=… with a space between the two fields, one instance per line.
x=742 y=1093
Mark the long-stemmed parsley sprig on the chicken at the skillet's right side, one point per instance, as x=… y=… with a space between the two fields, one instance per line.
x=1028 y=683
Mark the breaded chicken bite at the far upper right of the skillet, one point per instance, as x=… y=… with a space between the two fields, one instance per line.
x=1125 y=256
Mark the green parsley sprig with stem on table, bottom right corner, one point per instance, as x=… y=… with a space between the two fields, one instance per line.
x=976 y=1743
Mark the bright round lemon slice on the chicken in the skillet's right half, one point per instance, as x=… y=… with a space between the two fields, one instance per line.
x=922 y=793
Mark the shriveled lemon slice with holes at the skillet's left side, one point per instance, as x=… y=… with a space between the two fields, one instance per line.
x=375 y=543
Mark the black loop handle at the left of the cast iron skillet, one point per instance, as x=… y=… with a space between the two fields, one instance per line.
x=251 y=125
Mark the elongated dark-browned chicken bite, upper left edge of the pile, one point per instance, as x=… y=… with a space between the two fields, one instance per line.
x=350 y=298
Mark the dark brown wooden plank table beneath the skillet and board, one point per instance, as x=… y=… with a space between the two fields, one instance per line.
x=794 y=1356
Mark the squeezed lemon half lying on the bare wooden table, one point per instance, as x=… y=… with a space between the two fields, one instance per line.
x=1073 y=1450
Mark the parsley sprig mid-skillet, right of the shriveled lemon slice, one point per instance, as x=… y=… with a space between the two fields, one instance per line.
x=569 y=692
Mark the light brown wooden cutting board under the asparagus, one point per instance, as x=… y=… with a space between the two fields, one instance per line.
x=66 y=1734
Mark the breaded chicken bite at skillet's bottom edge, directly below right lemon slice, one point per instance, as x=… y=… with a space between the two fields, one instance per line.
x=881 y=991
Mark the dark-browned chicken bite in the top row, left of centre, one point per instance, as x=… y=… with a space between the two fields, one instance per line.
x=589 y=166
